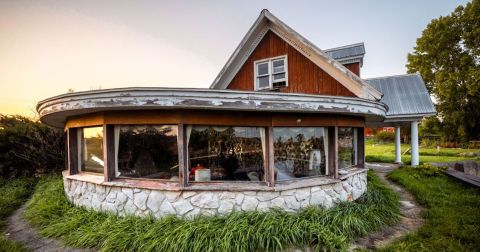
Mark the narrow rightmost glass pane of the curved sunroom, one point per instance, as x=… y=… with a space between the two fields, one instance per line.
x=346 y=152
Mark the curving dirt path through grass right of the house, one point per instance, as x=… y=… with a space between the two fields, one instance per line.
x=410 y=210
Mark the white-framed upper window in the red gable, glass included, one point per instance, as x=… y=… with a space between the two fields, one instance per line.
x=271 y=73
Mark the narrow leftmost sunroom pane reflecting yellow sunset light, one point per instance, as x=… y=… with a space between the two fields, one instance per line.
x=92 y=149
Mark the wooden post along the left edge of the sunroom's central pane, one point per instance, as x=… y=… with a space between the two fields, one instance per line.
x=183 y=163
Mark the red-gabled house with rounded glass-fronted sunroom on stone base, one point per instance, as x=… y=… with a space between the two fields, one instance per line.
x=282 y=125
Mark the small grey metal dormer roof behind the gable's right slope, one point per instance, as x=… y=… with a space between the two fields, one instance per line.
x=348 y=54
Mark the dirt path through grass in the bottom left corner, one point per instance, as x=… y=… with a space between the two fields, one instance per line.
x=19 y=230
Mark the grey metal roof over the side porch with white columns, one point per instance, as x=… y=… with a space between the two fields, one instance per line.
x=405 y=95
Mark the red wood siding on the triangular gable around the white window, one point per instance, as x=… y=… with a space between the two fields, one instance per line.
x=303 y=75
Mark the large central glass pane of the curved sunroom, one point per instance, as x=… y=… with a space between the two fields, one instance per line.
x=226 y=153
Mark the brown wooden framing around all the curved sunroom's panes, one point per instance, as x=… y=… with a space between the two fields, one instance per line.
x=265 y=120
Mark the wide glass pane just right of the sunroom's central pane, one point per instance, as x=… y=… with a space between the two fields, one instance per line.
x=299 y=152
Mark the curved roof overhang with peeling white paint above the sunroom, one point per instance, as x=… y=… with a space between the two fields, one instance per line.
x=55 y=111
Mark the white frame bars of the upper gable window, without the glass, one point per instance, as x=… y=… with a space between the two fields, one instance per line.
x=270 y=74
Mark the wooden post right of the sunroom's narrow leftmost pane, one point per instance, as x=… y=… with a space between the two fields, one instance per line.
x=109 y=152
